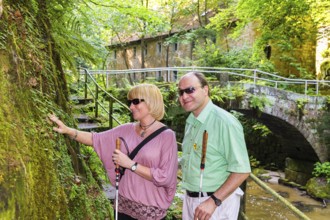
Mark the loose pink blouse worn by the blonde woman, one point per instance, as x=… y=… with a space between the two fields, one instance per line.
x=159 y=154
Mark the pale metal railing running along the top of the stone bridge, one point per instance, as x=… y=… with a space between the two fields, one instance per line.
x=171 y=74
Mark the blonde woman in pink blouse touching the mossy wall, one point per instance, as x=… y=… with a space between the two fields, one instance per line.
x=147 y=188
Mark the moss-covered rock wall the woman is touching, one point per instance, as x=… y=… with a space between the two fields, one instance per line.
x=38 y=168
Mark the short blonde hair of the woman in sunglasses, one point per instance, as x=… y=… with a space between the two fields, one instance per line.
x=152 y=97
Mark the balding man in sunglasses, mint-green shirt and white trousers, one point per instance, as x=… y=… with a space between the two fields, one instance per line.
x=227 y=163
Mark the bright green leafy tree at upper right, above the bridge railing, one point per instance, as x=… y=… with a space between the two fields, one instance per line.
x=287 y=26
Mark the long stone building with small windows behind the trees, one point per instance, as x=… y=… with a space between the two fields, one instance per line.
x=157 y=52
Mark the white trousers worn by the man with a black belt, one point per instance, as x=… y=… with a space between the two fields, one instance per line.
x=228 y=210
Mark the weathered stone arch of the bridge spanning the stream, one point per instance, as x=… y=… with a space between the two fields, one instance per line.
x=295 y=125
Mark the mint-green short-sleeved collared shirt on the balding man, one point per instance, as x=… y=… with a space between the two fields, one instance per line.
x=226 y=149
